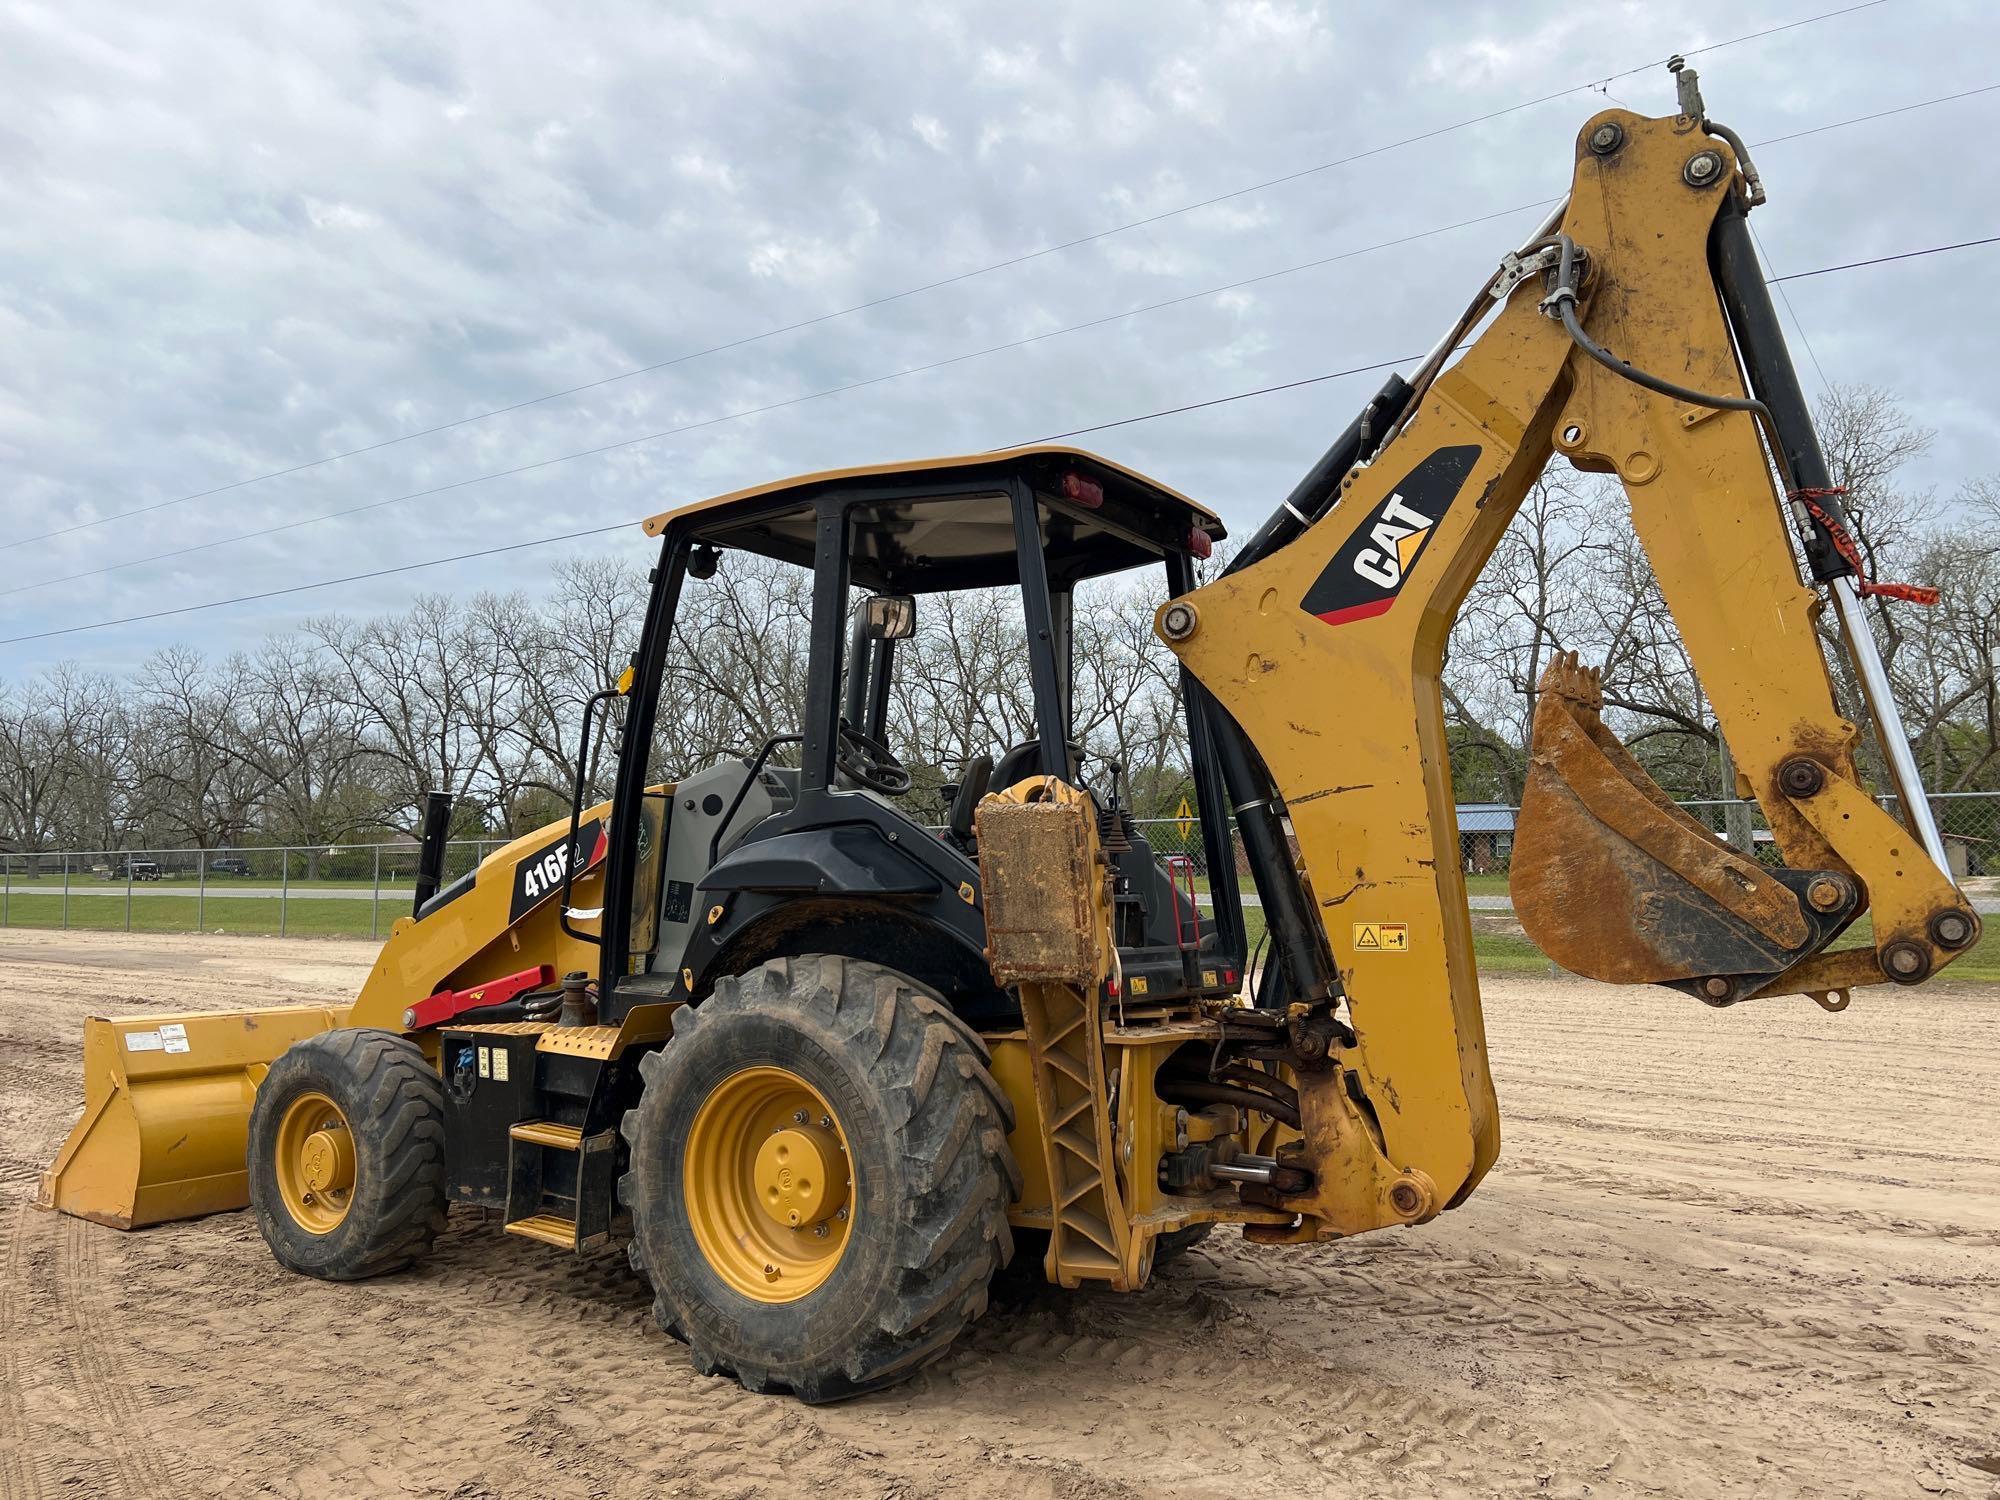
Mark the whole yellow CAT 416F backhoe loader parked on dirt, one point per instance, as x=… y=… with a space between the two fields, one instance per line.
x=827 y=1071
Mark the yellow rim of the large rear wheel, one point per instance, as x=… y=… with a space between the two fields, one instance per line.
x=769 y=1187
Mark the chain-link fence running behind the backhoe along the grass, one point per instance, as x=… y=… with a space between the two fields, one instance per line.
x=357 y=891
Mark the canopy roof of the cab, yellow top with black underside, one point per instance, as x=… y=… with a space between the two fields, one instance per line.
x=949 y=523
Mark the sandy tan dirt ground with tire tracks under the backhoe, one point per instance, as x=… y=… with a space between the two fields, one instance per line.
x=1745 y=1253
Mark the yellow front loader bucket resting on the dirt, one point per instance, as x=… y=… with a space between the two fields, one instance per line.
x=167 y=1113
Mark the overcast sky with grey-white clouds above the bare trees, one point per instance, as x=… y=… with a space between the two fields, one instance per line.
x=243 y=237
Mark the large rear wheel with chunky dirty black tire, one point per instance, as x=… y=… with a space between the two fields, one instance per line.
x=923 y=1127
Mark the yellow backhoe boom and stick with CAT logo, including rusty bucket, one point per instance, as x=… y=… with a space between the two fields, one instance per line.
x=1327 y=655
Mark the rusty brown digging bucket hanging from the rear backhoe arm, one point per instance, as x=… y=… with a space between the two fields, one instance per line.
x=1617 y=883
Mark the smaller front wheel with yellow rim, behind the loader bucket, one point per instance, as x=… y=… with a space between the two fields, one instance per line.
x=359 y=1109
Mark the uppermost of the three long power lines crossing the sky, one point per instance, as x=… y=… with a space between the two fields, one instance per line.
x=931 y=287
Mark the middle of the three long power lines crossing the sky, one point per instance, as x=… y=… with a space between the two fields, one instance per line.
x=899 y=375
